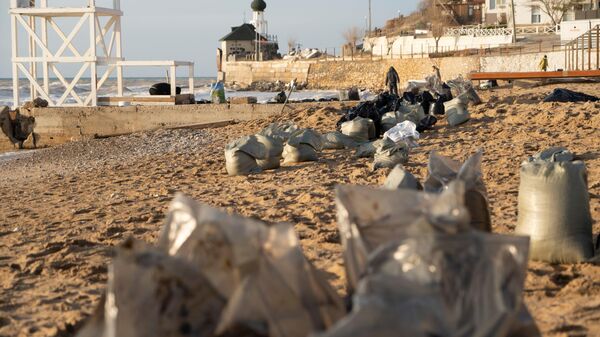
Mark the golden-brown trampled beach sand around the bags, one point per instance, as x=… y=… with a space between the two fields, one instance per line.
x=64 y=208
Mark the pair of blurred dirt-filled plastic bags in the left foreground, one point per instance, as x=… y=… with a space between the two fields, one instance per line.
x=214 y=274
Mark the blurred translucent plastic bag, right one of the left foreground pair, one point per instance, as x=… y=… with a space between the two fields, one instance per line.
x=270 y=286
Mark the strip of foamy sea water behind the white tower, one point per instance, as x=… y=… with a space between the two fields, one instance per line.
x=140 y=87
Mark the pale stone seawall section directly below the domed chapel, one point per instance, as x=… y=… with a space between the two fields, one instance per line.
x=245 y=73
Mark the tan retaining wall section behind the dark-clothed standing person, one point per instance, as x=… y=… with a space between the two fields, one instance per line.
x=371 y=73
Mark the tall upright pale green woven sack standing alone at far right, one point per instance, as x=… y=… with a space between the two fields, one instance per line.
x=554 y=210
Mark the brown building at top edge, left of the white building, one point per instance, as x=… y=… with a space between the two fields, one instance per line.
x=462 y=12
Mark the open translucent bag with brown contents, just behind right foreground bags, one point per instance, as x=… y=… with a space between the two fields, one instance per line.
x=443 y=170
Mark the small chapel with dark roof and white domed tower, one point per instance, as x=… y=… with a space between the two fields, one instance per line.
x=251 y=41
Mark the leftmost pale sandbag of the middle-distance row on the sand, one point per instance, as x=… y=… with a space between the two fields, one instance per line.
x=241 y=156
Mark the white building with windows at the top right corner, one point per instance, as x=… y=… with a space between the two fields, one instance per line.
x=528 y=12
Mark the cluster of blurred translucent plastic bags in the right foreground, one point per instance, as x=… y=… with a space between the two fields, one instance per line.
x=415 y=267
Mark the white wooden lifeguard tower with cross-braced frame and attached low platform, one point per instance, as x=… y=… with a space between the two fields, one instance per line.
x=35 y=51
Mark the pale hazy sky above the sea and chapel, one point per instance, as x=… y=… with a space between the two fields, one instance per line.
x=189 y=30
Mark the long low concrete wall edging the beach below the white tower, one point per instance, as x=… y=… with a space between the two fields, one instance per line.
x=61 y=125
